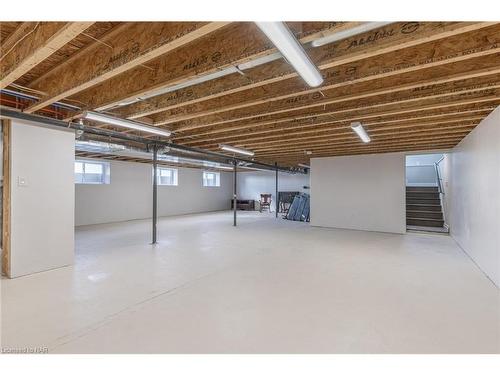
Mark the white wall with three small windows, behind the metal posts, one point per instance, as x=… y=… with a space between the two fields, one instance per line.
x=129 y=195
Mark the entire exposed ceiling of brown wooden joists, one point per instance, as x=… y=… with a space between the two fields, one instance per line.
x=414 y=85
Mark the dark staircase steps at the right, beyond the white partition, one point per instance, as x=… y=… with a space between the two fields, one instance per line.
x=423 y=207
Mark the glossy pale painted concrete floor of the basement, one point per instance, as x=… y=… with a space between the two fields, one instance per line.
x=267 y=286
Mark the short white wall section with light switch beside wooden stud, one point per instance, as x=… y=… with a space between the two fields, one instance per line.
x=42 y=210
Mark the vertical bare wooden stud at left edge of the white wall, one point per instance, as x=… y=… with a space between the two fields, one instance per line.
x=6 y=139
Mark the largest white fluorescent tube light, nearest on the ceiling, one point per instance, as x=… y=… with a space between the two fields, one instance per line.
x=292 y=51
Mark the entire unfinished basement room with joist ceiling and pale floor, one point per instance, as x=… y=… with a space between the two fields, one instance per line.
x=250 y=187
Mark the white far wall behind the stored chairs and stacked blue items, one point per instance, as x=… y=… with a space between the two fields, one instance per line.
x=252 y=184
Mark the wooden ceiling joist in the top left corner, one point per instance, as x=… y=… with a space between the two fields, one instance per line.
x=42 y=41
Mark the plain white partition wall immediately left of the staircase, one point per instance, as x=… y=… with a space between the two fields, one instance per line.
x=365 y=192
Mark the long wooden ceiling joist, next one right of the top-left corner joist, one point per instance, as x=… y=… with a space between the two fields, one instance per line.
x=130 y=46
